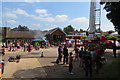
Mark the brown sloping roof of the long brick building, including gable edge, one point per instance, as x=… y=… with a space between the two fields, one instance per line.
x=30 y=34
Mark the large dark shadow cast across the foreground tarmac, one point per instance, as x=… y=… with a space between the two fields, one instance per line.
x=60 y=70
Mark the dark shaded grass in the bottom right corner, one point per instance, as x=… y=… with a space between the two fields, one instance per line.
x=112 y=70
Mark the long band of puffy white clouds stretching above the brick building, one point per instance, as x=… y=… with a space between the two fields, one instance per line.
x=43 y=16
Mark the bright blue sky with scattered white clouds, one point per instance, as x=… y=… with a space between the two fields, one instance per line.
x=49 y=15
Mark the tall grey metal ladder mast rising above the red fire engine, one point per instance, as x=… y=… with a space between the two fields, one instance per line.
x=95 y=17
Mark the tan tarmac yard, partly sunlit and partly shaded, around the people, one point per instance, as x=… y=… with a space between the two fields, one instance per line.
x=32 y=65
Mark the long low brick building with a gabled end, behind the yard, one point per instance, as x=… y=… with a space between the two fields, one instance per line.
x=10 y=35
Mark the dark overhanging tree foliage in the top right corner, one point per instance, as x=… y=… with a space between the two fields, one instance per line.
x=113 y=13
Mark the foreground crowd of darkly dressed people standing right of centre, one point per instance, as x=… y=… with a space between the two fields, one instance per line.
x=89 y=60
